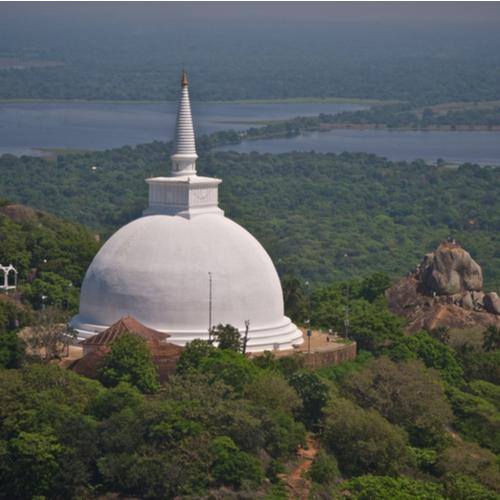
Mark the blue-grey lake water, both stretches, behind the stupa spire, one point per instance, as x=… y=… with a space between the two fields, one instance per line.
x=97 y=126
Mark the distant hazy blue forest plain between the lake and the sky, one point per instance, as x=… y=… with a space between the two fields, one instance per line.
x=264 y=62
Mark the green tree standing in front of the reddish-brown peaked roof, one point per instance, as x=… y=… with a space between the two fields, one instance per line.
x=130 y=361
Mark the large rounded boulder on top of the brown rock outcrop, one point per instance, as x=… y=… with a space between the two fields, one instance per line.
x=450 y=270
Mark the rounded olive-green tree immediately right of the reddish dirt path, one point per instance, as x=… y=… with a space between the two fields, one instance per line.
x=363 y=441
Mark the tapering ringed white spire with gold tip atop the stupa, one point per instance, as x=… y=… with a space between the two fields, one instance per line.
x=184 y=157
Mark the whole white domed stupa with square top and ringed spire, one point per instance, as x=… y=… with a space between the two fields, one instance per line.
x=184 y=266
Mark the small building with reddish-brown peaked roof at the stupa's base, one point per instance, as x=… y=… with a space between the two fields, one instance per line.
x=165 y=355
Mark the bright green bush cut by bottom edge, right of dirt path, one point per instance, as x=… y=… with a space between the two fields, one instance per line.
x=387 y=488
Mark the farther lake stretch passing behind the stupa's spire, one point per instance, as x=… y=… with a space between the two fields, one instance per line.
x=97 y=126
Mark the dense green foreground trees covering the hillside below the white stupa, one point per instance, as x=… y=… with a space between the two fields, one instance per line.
x=411 y=417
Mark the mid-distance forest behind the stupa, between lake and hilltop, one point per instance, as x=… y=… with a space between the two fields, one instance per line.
x=327 y=216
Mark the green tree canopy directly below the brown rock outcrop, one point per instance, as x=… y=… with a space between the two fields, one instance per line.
x=432 y=352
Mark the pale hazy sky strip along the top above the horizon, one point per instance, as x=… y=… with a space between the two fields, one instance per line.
x=157 y=12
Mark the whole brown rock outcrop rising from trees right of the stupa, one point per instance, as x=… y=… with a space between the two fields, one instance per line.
x=445 y=290
